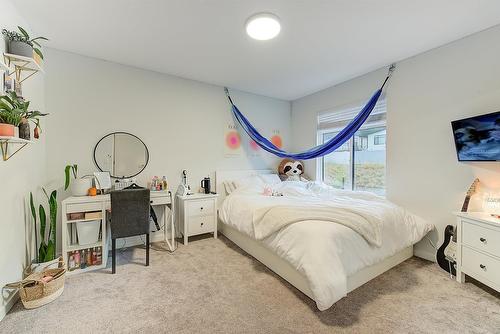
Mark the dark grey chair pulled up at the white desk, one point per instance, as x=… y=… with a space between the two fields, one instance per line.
x=129 y=217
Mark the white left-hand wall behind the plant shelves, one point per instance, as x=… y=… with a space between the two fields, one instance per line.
x=23 y=173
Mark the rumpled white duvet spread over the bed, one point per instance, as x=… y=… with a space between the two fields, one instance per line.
x=325 y=252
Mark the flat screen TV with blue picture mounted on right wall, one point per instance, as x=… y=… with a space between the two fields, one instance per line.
x=478 y=138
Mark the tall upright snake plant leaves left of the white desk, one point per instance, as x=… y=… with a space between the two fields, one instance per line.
x=47 y=247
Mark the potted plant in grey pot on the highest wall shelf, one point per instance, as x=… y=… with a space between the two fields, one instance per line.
x=21 y=44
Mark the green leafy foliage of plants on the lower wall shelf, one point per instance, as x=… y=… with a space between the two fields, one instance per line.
x=13 y=109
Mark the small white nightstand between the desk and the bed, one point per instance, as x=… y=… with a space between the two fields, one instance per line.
x=197 y=214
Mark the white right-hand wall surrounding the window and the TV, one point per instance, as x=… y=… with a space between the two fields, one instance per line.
x=426 y=93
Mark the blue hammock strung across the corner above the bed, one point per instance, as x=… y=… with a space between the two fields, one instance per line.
x=319 y=150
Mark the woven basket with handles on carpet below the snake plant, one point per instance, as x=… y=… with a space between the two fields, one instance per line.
x=35 y=293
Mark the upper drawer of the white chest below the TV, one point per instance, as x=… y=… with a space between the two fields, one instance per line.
x=482 y=238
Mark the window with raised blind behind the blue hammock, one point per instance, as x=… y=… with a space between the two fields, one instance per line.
x=359 y=164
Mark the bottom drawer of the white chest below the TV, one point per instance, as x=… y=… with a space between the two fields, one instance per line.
x=479 y=264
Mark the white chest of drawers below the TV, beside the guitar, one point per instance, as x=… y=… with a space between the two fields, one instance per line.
x=478 y=248
